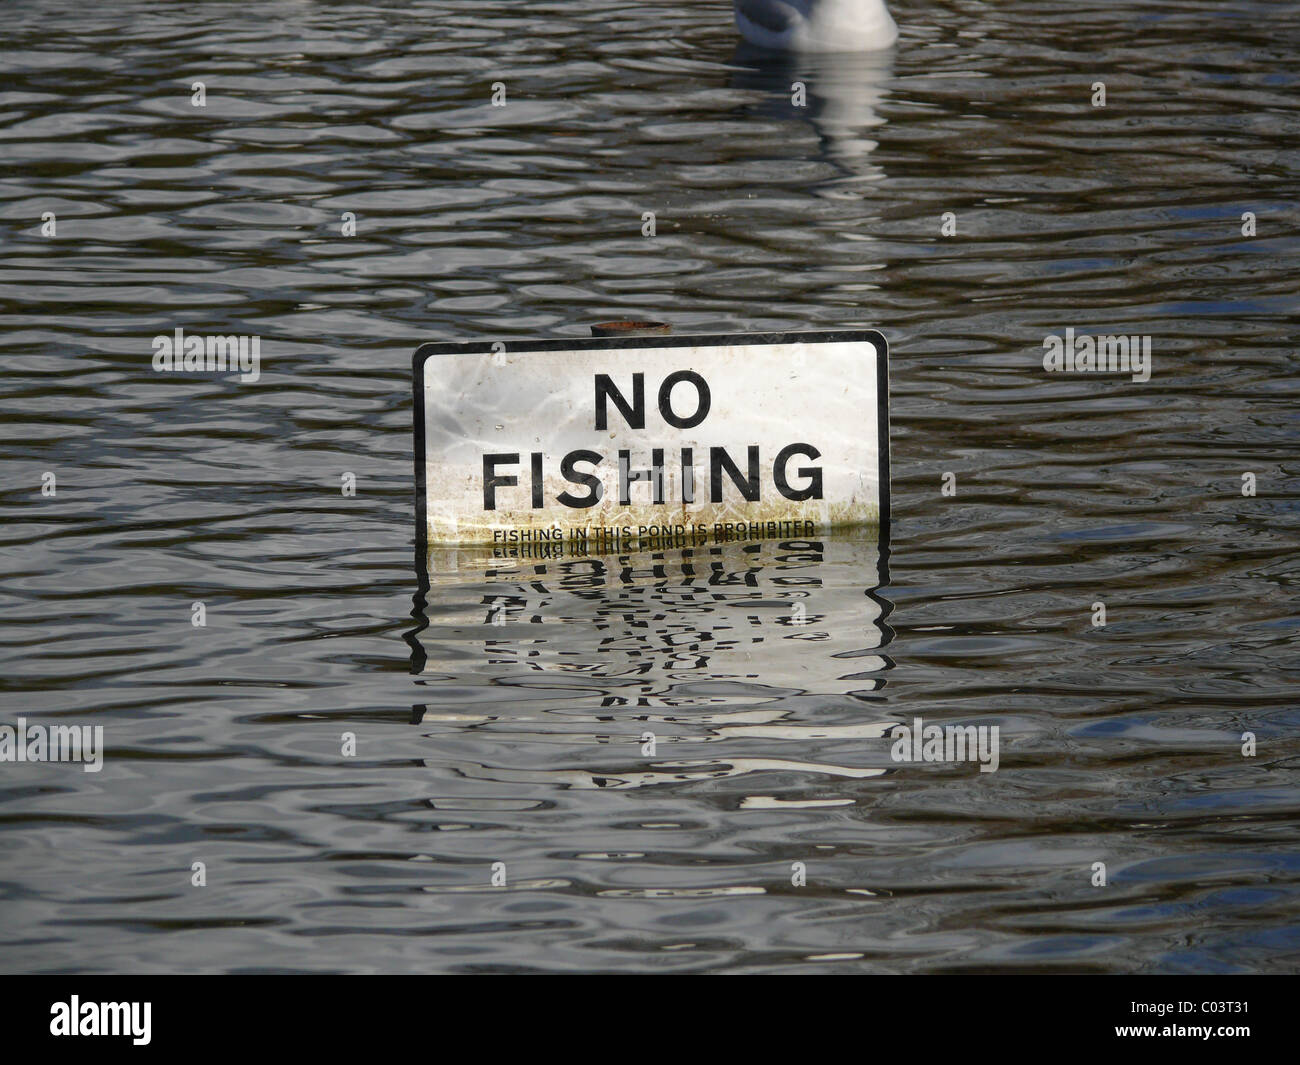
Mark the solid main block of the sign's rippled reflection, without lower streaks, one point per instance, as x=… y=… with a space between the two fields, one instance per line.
x=670 y=625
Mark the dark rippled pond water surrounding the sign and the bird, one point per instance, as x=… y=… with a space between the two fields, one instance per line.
x=523 y=743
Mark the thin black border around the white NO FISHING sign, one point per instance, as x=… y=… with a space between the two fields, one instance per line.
x=427 y=352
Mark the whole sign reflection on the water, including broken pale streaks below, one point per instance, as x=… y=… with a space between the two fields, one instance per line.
x=721 y=637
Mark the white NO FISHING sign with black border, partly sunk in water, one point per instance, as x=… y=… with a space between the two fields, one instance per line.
x=604 y=443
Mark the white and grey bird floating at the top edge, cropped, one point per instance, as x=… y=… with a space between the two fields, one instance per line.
x=816 y=25
